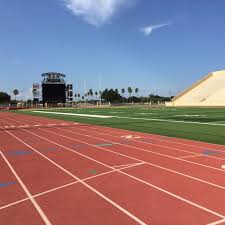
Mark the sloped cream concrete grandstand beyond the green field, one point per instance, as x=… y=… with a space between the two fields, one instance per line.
x=209 y=91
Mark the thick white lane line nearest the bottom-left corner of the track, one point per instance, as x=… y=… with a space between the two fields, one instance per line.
x=38 y=208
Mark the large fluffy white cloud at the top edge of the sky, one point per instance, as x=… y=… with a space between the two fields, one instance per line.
x=96 y=12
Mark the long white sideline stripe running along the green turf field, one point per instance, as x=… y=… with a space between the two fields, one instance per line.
x=131 y=118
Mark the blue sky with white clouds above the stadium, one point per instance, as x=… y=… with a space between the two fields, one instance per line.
x=88 y=39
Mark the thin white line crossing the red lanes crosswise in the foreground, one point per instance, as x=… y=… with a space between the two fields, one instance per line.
x=67 y=185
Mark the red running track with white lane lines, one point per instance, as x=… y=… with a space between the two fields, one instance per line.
x=64 y=173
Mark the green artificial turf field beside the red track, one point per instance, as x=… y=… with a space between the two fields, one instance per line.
x=203 y=124
